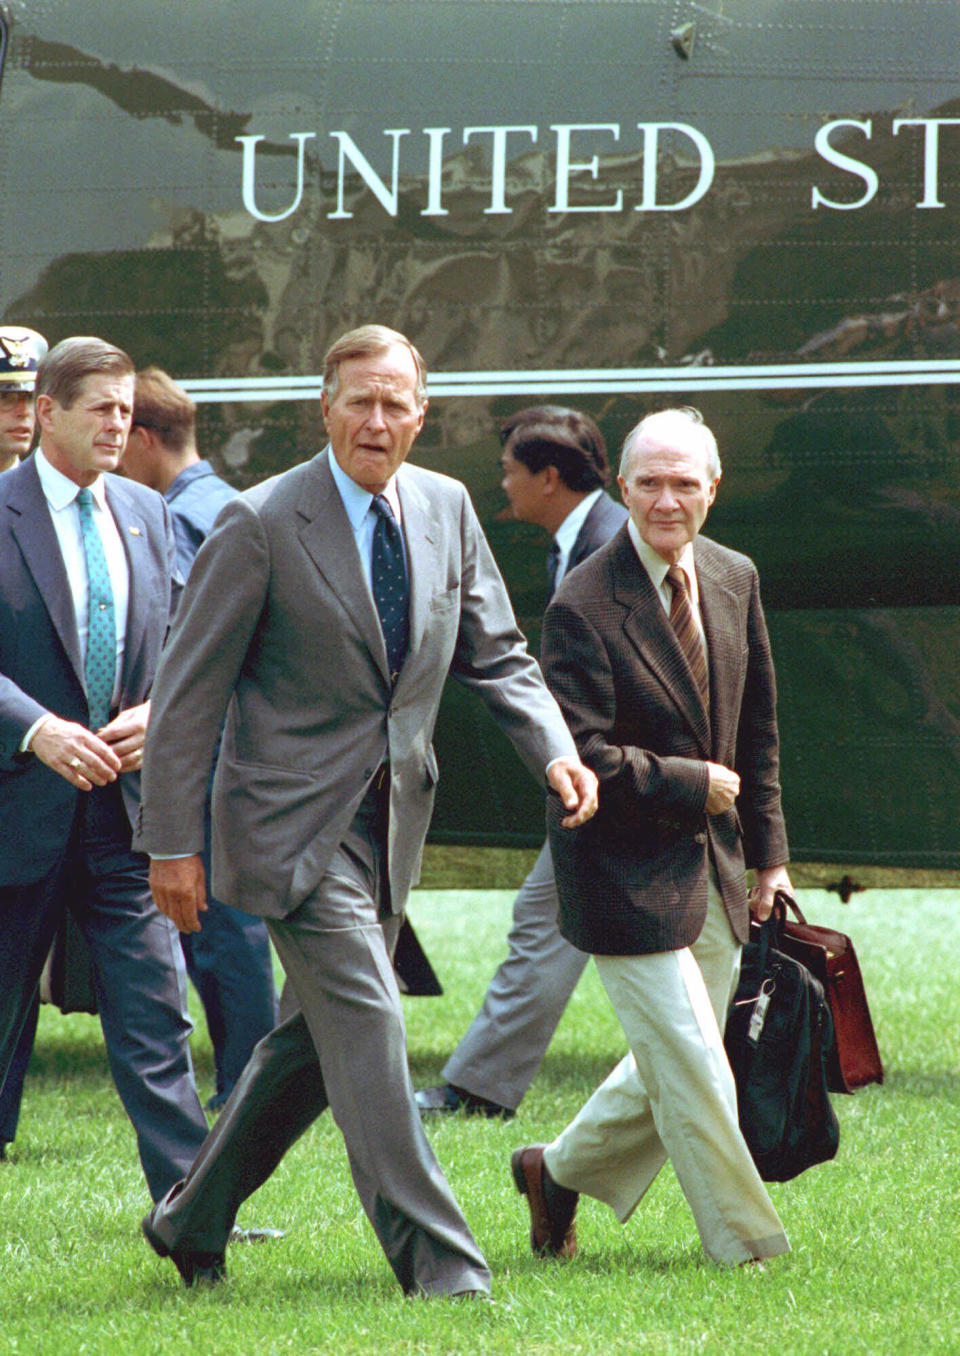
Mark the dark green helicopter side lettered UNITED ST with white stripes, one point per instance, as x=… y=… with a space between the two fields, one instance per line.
x=821 y=342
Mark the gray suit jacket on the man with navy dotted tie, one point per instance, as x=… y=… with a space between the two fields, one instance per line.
x=279 y=629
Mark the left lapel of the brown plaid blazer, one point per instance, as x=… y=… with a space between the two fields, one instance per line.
x=647 y=627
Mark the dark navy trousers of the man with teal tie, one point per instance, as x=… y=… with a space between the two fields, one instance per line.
x=139 y=976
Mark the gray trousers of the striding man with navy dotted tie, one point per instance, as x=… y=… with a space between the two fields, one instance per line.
x=345 y=1049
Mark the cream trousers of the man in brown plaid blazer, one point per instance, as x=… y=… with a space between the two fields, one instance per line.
x=675 y=1098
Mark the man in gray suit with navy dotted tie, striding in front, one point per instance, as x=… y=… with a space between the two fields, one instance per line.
x=322 y=619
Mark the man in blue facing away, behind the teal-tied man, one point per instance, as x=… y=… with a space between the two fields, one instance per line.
x=230 y=958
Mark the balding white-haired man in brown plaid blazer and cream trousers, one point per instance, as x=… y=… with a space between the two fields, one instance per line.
x=658 y=653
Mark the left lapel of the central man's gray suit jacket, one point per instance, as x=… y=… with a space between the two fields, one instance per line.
x=330 y=543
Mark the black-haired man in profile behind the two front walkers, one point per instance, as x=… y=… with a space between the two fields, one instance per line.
x=555 y=470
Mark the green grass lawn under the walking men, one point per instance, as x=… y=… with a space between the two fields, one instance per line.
x=877 y=1255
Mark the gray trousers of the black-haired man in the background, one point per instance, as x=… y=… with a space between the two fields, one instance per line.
x=506 y=1042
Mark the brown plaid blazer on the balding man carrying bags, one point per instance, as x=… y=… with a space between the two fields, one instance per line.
x=634 y=879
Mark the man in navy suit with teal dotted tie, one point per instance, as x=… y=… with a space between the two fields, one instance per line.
x=87 y=576
